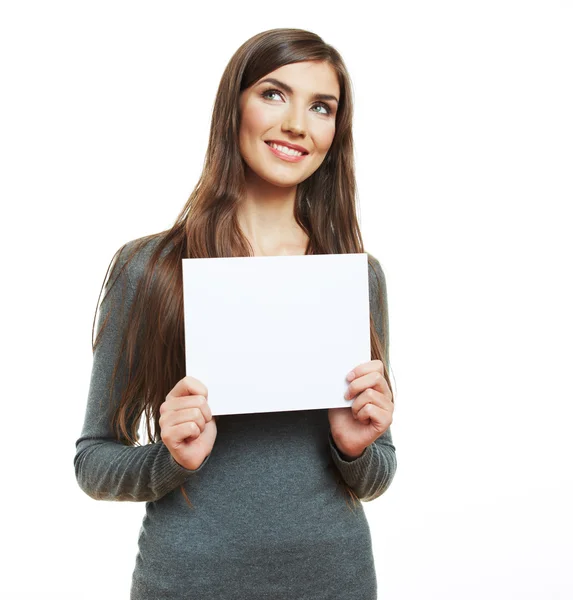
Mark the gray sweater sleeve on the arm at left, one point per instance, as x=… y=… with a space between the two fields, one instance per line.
x=106 y=468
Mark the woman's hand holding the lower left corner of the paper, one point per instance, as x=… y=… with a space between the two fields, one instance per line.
x=187 y=427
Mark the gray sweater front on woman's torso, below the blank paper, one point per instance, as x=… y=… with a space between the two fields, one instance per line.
x=268 y=520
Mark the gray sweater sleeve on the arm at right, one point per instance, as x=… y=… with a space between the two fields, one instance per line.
x=371 y=474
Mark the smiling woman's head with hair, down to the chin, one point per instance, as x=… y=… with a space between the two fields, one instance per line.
x=247 y=112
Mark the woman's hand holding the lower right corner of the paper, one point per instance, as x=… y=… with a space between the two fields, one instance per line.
x=355 y=428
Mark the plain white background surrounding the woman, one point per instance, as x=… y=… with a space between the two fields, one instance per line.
x=463 y=131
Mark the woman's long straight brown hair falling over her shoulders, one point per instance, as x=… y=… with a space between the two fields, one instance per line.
x=207 y=227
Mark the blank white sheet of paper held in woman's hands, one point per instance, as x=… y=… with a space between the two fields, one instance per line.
x=276 y=333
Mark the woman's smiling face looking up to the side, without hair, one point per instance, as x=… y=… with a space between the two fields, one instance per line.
x=288 y=110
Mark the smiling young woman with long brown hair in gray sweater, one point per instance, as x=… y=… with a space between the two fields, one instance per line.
x=269 y=516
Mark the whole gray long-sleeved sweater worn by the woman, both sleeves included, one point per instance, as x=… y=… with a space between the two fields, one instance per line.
x=269 y=519
